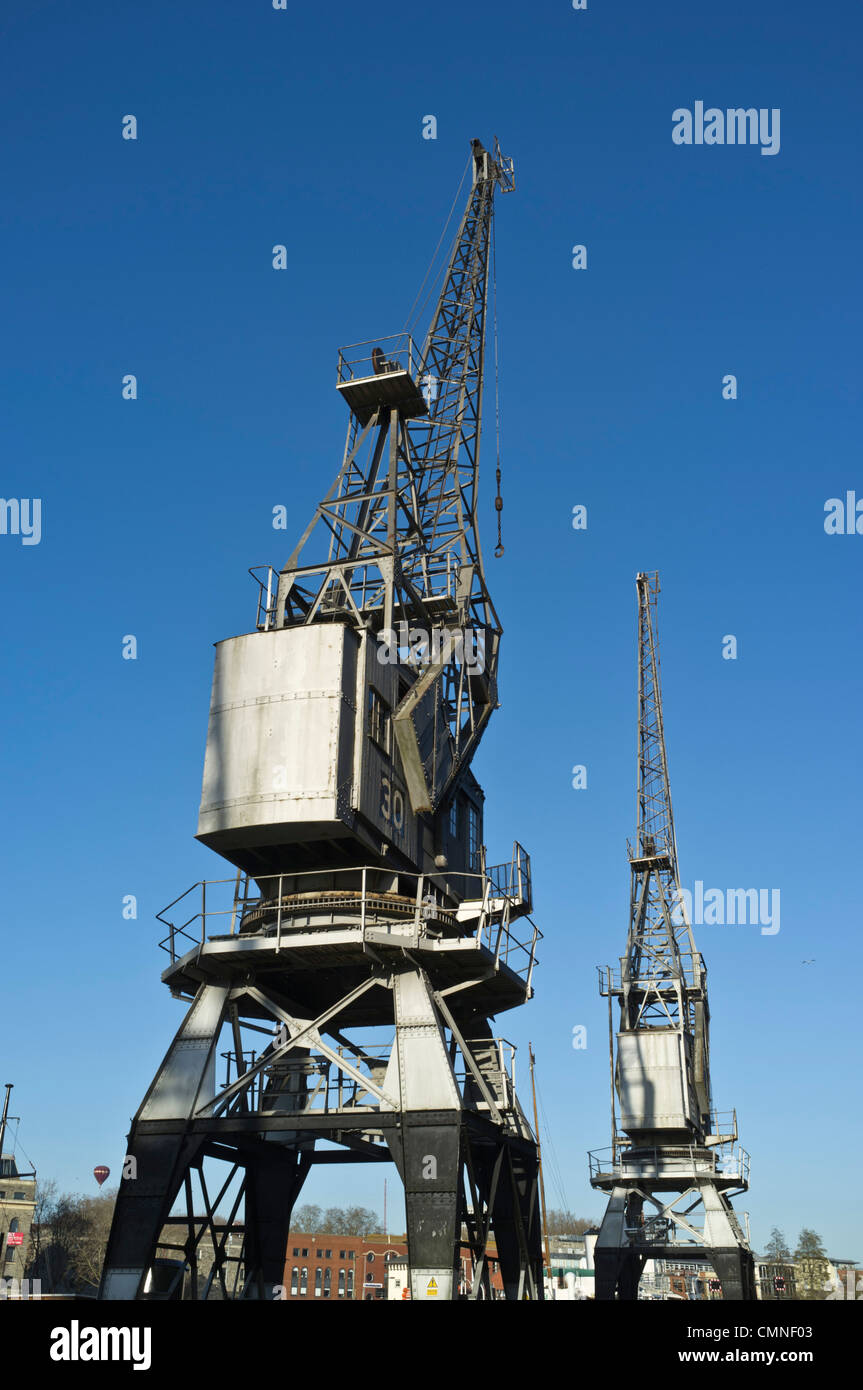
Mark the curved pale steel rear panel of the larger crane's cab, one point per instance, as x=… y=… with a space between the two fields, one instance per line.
x=280 y=744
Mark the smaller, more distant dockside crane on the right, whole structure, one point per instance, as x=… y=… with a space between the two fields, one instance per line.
x=673 y=1171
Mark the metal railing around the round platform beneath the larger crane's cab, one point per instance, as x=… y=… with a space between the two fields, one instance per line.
x=222 y=907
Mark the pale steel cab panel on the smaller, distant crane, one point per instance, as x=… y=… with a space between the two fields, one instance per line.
x=652 y=1082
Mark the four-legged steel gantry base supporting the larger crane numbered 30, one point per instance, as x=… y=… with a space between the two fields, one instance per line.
x=438 y=1103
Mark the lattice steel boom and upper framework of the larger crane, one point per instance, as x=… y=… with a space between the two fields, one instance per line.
x=404 y=555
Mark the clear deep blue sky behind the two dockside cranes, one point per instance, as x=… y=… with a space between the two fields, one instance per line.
x=155 y=258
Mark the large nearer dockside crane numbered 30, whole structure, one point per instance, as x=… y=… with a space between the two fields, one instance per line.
x=343 y=979
